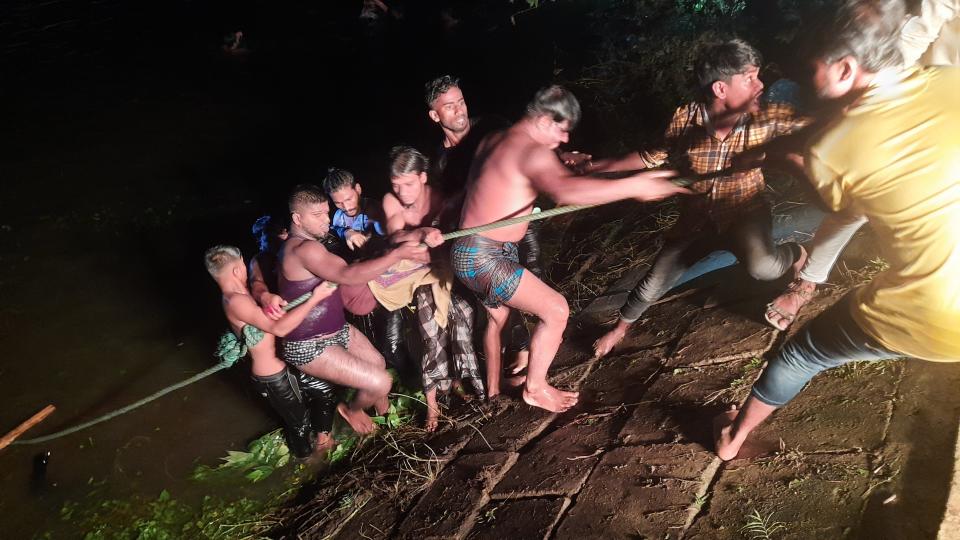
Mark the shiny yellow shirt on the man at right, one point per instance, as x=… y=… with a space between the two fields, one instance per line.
x=894 y=156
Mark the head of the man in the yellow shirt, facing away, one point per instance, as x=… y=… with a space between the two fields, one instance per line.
x=851 y=39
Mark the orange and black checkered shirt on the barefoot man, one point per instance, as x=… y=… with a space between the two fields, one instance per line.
x=690 y=146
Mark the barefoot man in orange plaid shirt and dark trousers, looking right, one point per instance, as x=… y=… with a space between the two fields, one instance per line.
x=729 y=211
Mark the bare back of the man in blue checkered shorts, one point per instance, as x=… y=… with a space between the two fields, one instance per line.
x=497 y=188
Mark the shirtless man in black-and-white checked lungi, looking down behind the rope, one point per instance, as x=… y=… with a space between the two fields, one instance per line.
x=412 y=204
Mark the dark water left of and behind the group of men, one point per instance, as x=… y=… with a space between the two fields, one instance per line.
x=125 y=154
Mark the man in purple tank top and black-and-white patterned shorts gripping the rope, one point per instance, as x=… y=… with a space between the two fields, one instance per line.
x=324 y=345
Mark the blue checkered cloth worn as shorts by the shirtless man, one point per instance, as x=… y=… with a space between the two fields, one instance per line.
x=487 y=267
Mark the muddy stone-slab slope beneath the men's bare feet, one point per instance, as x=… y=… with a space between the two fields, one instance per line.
x=866 y=451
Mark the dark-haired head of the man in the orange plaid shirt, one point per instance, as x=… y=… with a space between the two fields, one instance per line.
x=728 y=71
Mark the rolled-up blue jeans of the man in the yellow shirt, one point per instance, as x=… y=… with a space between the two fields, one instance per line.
x=828 y=341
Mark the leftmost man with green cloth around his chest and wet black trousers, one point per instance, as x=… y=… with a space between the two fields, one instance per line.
x=225 y=265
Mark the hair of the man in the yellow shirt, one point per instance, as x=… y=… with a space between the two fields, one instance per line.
x=868 y=30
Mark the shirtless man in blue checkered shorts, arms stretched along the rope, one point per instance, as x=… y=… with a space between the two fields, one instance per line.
x=509 y=170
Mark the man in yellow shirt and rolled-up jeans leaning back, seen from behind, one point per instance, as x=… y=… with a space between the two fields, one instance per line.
x=892 y=155
